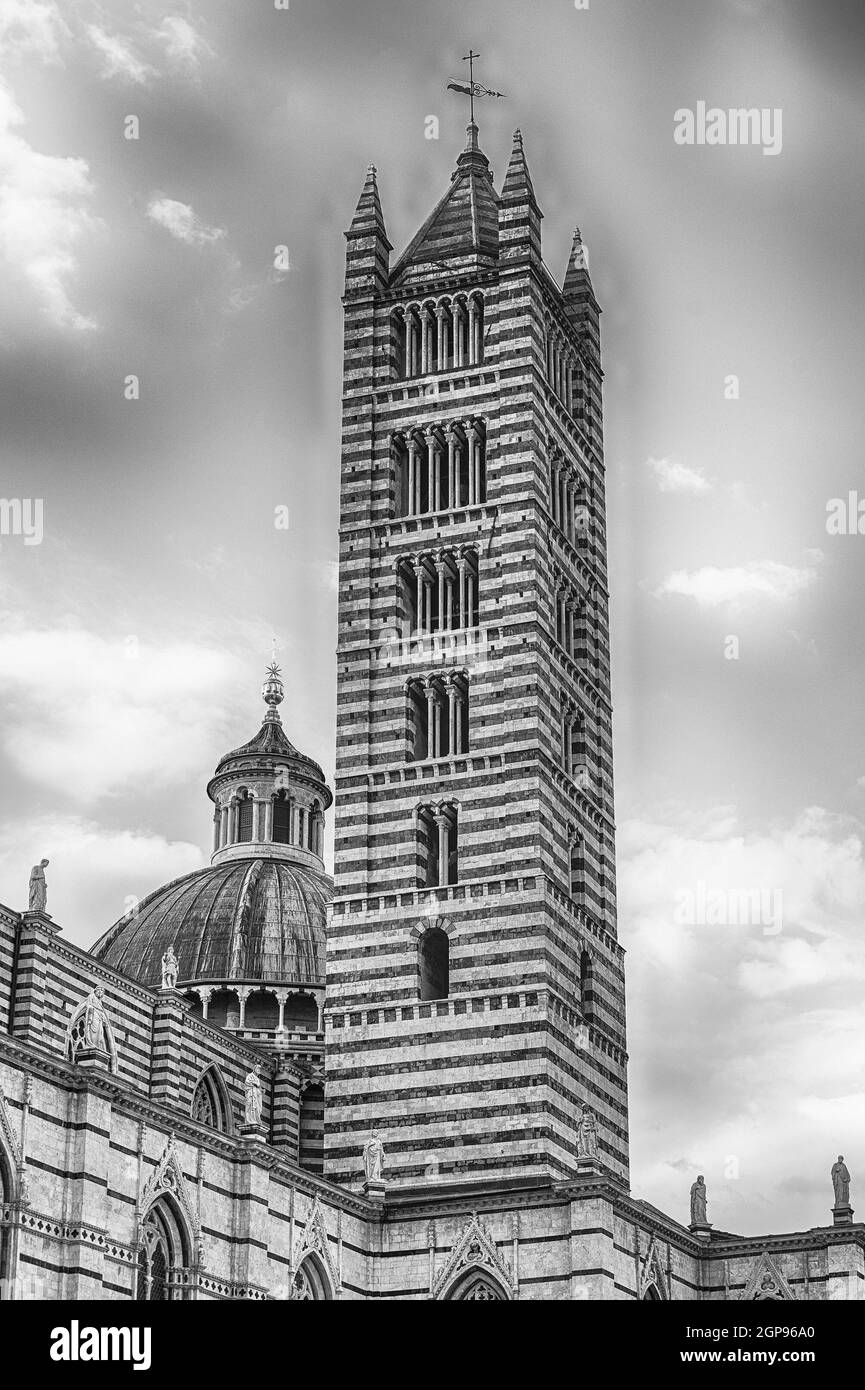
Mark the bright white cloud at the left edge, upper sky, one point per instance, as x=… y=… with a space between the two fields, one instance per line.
x=44 y=216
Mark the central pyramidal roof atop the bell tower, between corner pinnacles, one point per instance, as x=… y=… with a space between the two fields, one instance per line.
x=462 y=230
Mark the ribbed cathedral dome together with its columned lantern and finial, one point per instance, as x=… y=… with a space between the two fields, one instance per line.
x=258 y=915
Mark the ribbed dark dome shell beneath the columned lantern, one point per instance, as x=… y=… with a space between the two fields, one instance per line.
x=250 y=919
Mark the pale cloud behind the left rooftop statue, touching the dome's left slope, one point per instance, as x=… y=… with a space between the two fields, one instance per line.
x=95 y=874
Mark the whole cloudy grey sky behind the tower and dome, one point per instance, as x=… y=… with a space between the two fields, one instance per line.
x=133 y=639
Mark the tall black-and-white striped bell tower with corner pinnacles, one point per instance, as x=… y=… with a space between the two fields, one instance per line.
x=475 y=982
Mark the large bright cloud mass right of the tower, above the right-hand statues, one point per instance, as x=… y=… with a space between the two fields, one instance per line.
x=743 y=1045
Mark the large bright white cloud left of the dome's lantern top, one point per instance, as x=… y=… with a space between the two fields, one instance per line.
x=115 y=715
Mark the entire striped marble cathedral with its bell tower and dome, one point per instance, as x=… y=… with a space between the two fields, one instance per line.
x=410 y=1082
